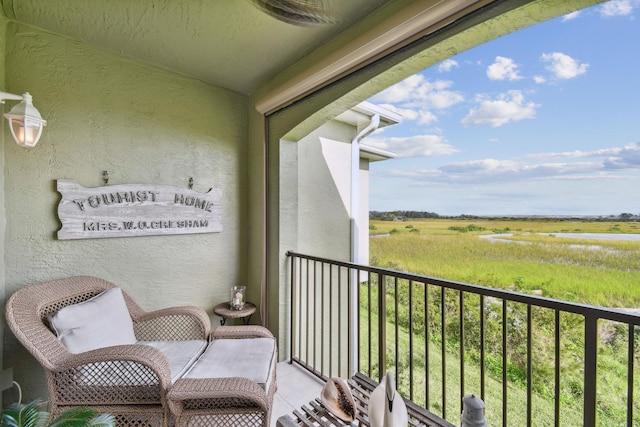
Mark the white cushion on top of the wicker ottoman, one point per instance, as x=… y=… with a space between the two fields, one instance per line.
x=251 y=358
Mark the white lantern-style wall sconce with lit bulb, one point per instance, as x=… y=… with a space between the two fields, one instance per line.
x=24 y=119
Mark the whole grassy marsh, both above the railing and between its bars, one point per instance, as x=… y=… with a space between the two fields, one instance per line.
x=605 y=273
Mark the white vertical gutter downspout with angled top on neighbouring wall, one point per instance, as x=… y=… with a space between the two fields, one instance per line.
x=355 y=235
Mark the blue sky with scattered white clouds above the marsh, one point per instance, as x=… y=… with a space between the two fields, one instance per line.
x=544 y=121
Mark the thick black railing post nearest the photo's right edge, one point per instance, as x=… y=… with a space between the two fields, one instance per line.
x=590 y=369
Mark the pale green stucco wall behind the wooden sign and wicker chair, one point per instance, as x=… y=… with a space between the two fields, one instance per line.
x=143 y=125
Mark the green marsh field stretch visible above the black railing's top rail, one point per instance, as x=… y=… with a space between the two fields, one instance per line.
x=551 y=266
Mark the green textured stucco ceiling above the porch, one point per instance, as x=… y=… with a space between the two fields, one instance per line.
x=230 y=43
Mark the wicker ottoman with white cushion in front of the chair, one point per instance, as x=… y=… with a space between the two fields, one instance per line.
x=231 y=384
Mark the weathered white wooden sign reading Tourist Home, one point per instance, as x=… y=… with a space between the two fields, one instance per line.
x=136 y=210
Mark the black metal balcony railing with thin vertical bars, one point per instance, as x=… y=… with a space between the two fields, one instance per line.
x=533 y=360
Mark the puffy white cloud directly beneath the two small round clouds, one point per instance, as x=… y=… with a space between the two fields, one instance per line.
x=507 y=107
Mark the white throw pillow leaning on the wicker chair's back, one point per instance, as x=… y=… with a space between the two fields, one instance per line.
x=101 y=321
